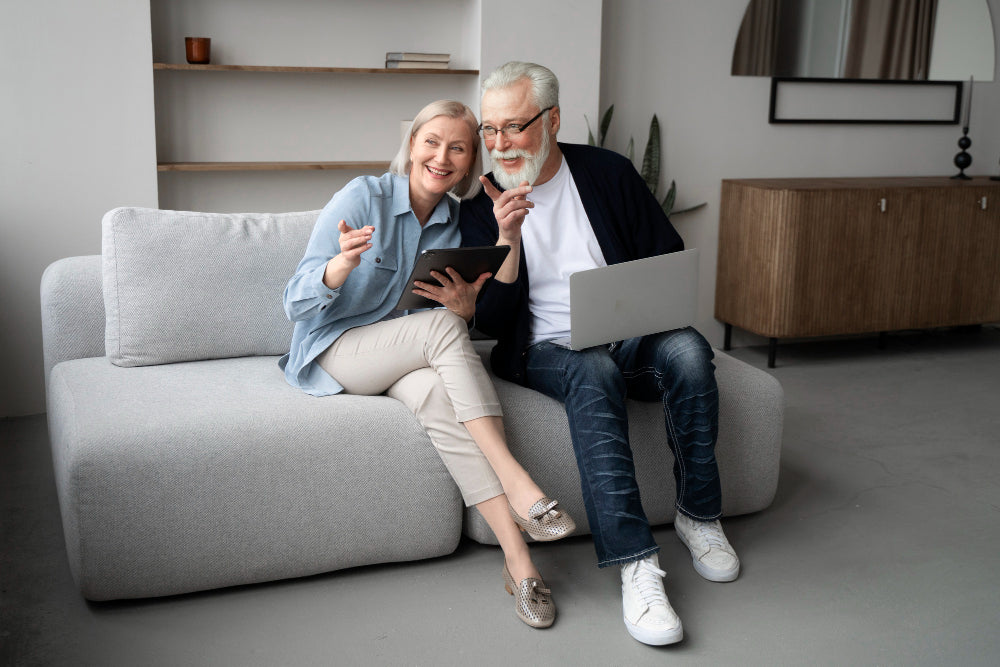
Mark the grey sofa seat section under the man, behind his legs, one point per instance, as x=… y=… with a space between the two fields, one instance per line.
x=751 y=414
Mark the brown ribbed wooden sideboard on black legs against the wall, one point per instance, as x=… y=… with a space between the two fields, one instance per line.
x=818 y=257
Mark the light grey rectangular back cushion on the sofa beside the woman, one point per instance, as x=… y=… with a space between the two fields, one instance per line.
x=182 y=286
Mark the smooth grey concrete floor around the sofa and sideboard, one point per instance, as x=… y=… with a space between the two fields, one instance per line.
x=881 y=548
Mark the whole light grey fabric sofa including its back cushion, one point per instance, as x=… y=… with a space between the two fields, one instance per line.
x=184 y=462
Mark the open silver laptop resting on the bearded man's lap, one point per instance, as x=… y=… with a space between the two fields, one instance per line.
x=634 y=298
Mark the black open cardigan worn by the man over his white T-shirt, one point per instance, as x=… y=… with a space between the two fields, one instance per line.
x=629 y=224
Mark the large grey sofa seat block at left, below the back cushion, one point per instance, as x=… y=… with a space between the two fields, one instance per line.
x=196 y=475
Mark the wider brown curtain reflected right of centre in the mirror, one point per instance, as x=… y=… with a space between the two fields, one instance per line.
x=890 y=39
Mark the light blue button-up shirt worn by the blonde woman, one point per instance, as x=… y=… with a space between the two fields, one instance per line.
x=372 y=289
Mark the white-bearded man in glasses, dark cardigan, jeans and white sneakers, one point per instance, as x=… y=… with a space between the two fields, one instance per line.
x=564 y=208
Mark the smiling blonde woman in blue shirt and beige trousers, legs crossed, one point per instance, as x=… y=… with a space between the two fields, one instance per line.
x=348 y=338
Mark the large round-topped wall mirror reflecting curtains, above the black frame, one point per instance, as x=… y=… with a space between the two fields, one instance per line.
x=910 y=40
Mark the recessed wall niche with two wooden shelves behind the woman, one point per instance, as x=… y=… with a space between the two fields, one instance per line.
x=278 y=121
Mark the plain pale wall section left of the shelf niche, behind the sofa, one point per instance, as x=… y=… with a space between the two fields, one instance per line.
x=76 y=139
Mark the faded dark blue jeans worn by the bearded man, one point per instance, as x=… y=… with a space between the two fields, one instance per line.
x=674 y=367
